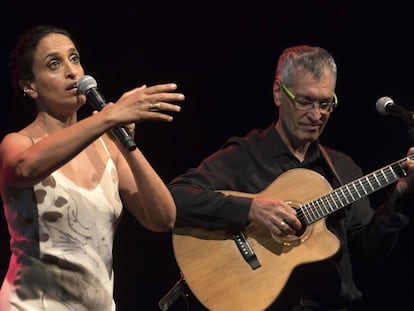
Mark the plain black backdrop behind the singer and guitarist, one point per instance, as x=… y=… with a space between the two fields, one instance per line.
x=222 y=55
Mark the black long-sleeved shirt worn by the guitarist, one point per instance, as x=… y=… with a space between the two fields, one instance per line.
x=248 y=165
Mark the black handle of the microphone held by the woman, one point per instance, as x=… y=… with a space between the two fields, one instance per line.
x=121 y=133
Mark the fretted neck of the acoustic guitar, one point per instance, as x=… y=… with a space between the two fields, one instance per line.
x=316 y=209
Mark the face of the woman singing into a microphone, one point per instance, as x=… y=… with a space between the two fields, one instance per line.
x=56 y=68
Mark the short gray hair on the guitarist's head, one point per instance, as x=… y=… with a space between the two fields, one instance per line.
x=304 y=57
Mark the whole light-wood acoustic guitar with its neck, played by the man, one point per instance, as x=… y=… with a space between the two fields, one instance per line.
x=248 y=270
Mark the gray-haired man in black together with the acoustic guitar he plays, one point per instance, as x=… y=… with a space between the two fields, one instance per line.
x=270 y=235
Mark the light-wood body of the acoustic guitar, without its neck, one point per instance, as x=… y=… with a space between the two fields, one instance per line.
x=220 y=277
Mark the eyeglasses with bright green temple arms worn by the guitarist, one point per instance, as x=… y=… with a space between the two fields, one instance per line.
x=306 y=104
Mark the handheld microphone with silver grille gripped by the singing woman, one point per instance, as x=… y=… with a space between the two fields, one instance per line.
x=87 y=85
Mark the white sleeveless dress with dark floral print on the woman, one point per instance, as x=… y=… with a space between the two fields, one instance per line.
x=61 y=243
